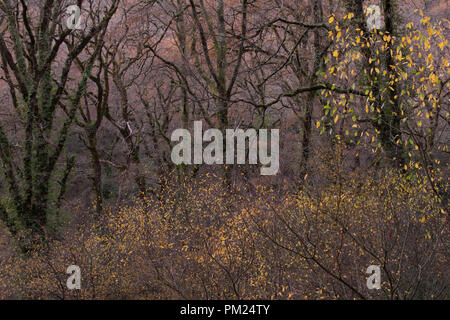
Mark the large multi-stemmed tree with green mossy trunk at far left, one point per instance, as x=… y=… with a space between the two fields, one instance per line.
x=38 y=87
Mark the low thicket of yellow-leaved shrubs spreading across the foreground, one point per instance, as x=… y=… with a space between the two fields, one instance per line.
x=199 y=239
